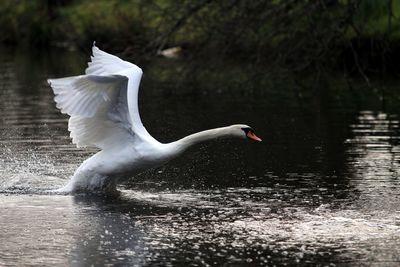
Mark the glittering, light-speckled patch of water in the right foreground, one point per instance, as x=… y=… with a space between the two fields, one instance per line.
x=294 y=233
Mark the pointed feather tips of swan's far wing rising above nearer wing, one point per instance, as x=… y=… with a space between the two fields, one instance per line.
x=103 y=63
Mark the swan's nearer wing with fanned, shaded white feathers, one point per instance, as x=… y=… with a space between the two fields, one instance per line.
x=98 y=109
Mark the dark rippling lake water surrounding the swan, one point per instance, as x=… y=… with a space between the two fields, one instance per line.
x=321 y=189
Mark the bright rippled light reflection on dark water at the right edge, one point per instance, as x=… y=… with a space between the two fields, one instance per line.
x=373 y=161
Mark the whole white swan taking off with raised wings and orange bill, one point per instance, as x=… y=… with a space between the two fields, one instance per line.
x=103 y=110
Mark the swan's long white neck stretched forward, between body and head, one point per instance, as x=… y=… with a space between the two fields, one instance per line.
x=196 y=138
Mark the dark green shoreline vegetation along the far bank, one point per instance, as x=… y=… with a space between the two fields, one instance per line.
x=356 y=37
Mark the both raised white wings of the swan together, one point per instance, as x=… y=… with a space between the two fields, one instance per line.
x=103 y=103
